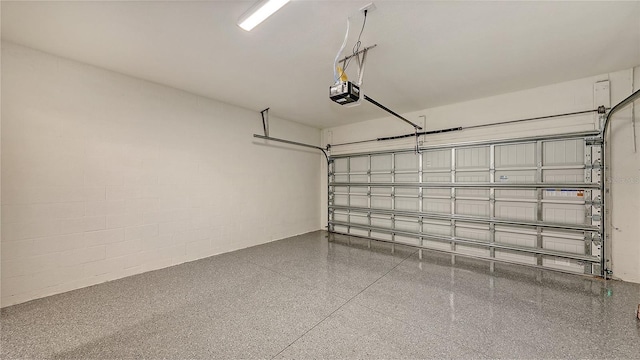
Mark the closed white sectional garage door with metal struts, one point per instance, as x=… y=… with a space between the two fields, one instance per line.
x=533 y=201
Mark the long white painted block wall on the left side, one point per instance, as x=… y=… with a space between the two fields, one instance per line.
x=105 y=176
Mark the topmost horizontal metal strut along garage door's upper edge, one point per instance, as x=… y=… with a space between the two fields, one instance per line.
x=476 y=143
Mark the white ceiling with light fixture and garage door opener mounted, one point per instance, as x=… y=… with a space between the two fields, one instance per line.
x=428 y=53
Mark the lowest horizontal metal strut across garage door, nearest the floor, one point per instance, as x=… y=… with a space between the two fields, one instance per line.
x=457 y=240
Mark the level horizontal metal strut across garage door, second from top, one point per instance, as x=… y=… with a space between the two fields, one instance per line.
x=481 y=185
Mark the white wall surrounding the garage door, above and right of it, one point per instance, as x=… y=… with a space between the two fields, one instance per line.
x=565 y=97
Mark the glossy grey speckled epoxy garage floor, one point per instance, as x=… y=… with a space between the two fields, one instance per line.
x=304 y=297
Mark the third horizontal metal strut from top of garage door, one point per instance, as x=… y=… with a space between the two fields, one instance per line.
x=467 y=218
